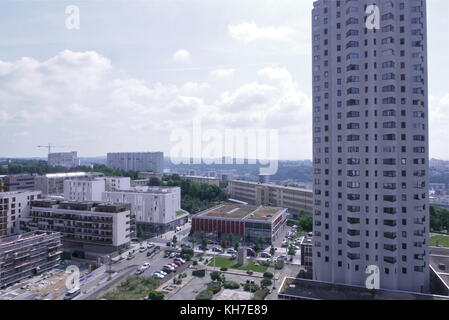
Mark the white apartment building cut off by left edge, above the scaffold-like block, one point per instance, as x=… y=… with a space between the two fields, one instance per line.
x=14 y=206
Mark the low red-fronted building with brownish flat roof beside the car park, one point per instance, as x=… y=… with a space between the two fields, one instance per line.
x=245 y=222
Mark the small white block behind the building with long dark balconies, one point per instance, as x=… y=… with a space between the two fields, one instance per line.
x=84 y=190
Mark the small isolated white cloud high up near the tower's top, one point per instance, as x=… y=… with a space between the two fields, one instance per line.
x=250 y=31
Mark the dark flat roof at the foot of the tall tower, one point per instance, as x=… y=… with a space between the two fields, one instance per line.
x=319 y=290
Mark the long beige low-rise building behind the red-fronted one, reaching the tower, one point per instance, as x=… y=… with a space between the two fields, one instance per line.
x=296 y=200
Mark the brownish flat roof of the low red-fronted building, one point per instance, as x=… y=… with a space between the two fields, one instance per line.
x=239 y=211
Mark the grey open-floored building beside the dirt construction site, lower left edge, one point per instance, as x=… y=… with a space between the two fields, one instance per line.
x=27 y=255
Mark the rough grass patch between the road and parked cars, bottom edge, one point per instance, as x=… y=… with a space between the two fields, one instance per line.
x=133 y=288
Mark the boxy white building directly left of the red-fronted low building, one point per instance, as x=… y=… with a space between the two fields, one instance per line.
x=156 y=209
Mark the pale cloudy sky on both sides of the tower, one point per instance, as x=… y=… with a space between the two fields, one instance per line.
x=136 y=72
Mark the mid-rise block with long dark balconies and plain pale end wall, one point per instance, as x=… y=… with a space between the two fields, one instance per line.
x=90 y=229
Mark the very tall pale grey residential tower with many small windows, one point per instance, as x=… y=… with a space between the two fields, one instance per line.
x=370 y=143
